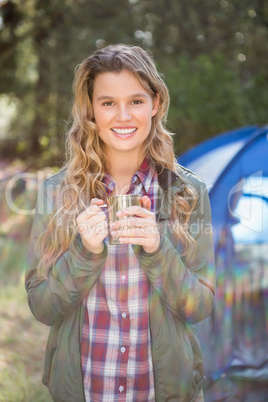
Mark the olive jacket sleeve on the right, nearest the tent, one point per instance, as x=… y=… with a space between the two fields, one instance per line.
x=186 y=290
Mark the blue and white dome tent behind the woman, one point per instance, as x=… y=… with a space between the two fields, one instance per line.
x=234 y=339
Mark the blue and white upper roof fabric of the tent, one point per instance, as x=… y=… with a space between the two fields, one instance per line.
x=250 y=158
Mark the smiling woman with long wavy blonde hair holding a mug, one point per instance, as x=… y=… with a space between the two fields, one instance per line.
x=121 y=315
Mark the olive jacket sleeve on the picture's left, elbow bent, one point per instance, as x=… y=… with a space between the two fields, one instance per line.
x=51 y=298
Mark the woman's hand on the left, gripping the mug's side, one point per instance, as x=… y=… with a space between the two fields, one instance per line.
x=92 y=226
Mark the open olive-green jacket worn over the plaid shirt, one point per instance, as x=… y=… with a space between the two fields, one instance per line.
x=179 y=296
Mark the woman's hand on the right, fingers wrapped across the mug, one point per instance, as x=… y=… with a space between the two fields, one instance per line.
x=140 y=229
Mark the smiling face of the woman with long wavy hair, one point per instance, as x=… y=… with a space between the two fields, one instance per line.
x=123 y=112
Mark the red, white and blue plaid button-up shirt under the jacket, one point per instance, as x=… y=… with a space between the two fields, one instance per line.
x=115 y=343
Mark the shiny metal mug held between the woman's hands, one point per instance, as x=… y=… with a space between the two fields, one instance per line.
x=115 y=204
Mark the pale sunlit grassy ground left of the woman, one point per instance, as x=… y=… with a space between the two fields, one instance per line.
x=22 y=337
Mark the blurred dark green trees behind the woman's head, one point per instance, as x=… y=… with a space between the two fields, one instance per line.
x=213 y=54
